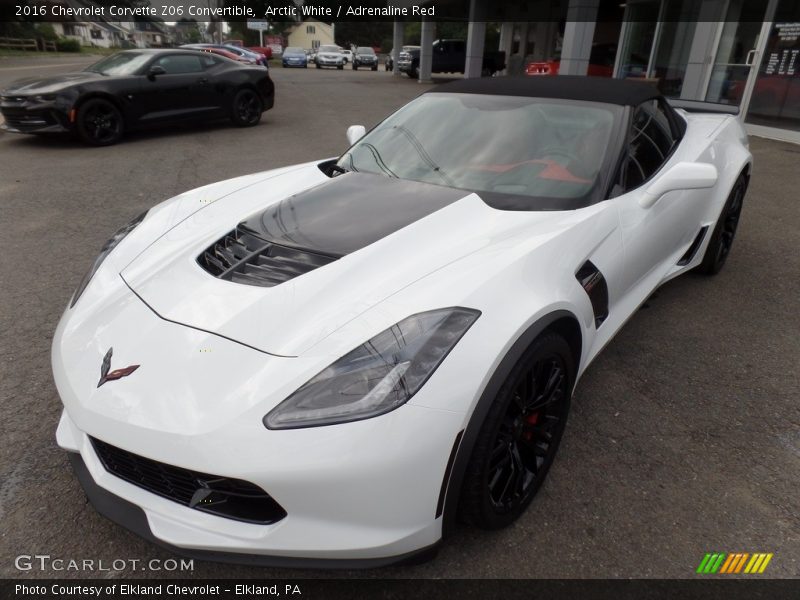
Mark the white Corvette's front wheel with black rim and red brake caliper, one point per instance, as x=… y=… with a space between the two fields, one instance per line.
x=519 y=438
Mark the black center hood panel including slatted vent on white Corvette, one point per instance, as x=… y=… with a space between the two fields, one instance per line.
x=315 y=227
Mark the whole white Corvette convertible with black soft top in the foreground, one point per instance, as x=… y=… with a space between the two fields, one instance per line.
x=329 y=364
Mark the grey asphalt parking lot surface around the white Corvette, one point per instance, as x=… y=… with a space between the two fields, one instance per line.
x=684 y=436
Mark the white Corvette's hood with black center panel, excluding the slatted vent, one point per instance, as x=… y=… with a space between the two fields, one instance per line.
x=380 y=235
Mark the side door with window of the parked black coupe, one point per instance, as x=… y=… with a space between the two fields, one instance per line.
x=181 y=91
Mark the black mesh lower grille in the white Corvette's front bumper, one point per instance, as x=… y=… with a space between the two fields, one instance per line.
x=222 y=496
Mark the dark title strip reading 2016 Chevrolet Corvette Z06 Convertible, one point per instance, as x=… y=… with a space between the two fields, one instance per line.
x=328 y=11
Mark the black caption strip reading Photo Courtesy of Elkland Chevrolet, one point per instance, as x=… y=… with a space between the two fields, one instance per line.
x=406 y=589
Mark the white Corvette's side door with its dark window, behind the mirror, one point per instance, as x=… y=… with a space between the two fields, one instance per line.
x=655 y=235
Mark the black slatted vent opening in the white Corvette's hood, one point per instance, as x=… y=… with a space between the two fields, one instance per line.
x=243 y=257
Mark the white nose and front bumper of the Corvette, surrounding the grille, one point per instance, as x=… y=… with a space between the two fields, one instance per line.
x=367 y=490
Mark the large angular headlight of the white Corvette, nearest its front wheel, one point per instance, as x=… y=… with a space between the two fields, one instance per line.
x=378 y=376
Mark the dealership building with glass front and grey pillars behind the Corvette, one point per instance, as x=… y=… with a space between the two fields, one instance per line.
x=739 y=52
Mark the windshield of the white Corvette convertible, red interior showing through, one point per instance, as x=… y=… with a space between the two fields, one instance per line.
x=525 y=147
